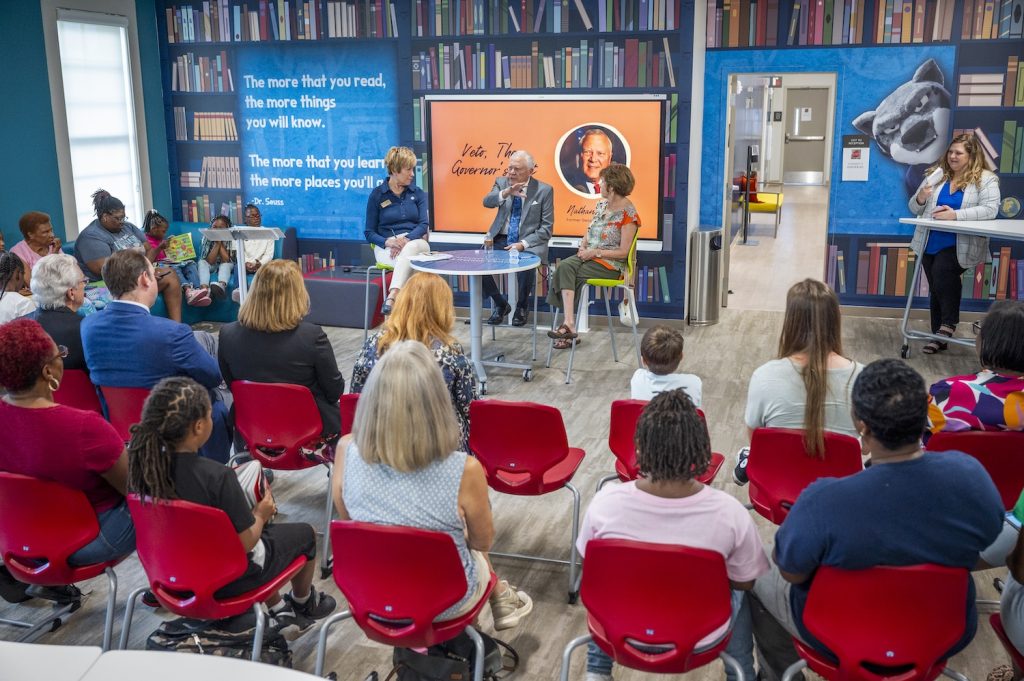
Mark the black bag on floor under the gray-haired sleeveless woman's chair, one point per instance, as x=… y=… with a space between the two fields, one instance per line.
x=453 y=661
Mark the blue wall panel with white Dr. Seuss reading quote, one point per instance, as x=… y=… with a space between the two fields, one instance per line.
x=315 y=125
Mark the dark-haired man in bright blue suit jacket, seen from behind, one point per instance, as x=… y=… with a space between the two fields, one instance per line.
x=125 y=347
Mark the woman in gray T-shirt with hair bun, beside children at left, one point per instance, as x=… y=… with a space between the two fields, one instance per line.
x=111 y=233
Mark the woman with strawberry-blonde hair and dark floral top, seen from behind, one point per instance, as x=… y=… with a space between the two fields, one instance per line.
x=424 y=313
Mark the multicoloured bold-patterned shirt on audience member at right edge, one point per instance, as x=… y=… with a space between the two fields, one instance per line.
x=986 y=401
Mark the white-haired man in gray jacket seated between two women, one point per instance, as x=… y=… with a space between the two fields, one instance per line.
x=526 y=216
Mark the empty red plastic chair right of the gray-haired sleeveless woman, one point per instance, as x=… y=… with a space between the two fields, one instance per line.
x=527 y=461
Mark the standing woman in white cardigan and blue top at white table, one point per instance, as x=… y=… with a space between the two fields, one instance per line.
x=965 y=191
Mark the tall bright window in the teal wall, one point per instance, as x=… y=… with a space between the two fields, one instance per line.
x=100 y=107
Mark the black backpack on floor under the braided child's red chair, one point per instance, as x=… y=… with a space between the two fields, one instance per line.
x=227 y=639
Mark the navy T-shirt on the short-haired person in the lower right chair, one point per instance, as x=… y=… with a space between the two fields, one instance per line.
x=940 y=508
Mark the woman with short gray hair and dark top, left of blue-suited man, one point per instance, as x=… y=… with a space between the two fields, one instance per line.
x=59 y=289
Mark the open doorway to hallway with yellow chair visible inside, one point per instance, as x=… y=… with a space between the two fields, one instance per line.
x=788 y=141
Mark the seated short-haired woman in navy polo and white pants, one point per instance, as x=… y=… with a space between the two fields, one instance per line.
x=397 y=220
